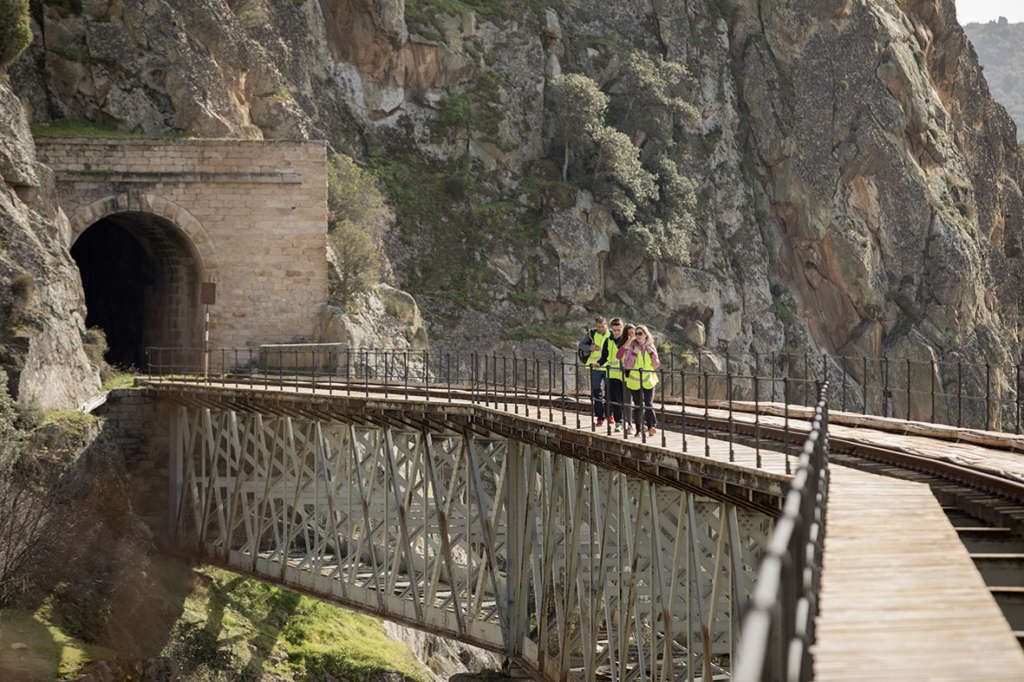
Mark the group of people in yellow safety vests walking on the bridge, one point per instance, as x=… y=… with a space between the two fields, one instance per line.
x=622 y=357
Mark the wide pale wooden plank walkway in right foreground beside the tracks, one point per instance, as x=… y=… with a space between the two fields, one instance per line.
x=901 y=598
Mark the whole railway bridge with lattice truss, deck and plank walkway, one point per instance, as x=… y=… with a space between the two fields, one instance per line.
x=750 y=540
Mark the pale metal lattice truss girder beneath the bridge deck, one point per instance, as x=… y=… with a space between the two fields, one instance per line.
x=576 y=571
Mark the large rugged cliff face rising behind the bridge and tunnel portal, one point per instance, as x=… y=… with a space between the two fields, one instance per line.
x=859 y=191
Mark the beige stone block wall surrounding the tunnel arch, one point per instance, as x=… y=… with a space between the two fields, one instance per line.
x=255 y=214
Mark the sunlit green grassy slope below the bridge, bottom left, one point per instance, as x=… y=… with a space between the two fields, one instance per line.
x=218 y=625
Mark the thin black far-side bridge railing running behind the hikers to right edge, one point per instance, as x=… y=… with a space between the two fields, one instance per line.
x=963 y=395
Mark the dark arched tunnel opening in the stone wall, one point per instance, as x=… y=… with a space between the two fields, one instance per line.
x=141 y=275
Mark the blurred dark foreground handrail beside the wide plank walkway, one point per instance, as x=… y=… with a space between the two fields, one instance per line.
x=779 y=628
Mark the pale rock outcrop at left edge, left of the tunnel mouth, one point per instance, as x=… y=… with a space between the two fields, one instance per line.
x=42 y=310
